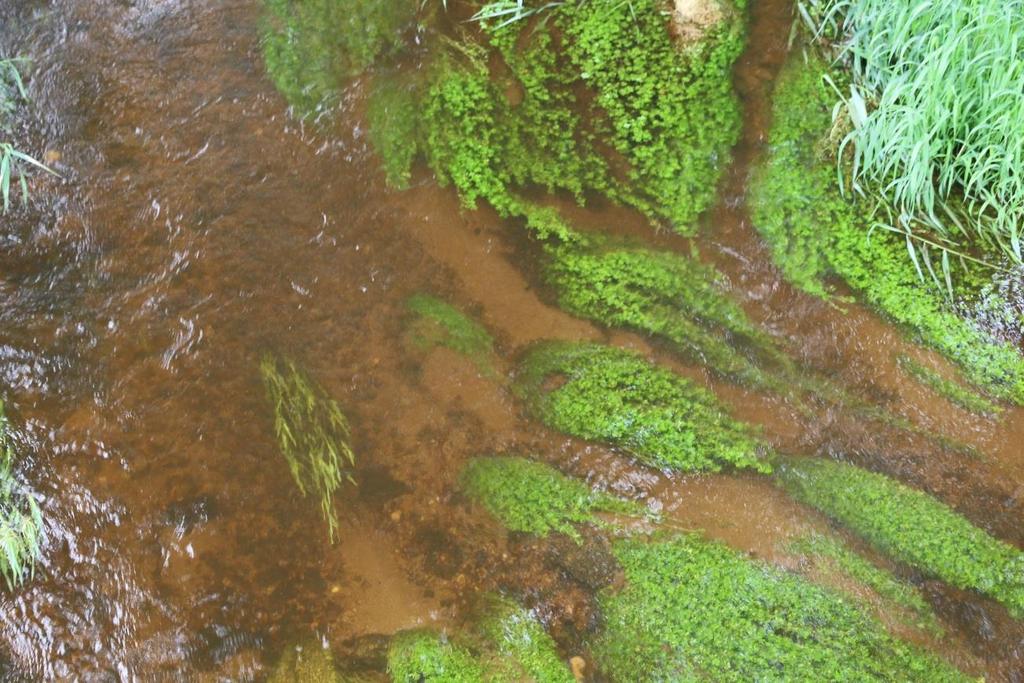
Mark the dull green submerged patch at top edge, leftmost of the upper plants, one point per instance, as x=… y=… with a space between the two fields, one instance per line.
x=312 y=48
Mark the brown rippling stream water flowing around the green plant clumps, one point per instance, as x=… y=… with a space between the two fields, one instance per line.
x=198 y=226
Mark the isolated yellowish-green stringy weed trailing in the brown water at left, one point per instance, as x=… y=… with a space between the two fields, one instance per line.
x=313 y=434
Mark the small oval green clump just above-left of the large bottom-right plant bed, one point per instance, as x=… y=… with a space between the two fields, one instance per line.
x=534 y=498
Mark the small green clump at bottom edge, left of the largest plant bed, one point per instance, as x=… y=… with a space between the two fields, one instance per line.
x=504 y=645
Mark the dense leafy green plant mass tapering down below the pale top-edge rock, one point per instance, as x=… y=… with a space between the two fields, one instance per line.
x=671 y=110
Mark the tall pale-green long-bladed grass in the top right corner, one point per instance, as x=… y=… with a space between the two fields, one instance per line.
x=937 y=110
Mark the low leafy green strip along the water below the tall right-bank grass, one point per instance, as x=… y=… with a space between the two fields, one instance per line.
x=814 y=230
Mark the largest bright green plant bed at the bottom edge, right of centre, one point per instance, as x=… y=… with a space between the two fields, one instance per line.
x=695 y=611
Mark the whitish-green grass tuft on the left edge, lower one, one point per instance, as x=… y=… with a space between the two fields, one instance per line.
x=21 y=519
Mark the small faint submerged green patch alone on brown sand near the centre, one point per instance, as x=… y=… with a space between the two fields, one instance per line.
x=441 y=324
